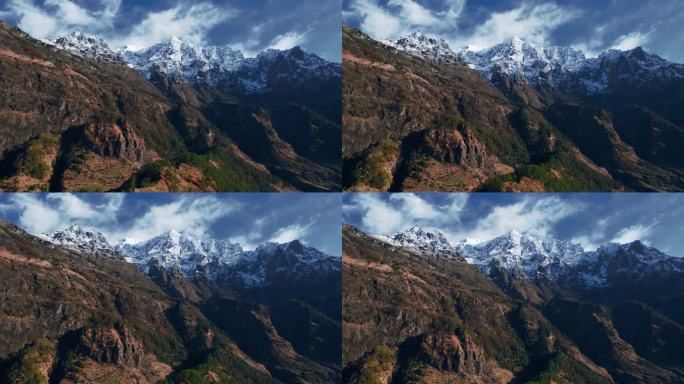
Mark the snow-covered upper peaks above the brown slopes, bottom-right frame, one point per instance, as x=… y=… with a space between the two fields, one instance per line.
x=524 y=256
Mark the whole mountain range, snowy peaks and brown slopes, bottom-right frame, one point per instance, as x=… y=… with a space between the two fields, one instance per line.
x=512 y=309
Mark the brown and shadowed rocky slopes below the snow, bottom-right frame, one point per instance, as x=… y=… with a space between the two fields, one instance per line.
x=417 y=317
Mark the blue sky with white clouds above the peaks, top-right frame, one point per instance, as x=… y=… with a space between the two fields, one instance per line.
x=591 y=25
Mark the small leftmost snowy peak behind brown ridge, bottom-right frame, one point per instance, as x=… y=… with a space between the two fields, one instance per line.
x=422 y=242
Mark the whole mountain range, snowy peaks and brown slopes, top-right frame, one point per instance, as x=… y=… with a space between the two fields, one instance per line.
x=421 y=116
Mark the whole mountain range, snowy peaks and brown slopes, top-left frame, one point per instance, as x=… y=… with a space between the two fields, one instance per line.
x=173 y=117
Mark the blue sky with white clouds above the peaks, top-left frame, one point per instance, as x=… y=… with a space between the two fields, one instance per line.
x=251 y=25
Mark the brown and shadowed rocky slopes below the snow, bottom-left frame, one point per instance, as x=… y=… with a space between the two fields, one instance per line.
x=74 y=316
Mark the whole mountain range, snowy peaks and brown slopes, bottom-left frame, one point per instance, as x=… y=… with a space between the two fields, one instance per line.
x=171 y=309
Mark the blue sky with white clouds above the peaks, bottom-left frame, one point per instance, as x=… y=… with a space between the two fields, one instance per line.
x=246 y=218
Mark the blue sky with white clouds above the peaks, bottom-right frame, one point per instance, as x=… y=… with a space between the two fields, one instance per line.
x=591 y=219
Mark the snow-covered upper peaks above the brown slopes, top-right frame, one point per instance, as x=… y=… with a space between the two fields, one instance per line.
x=560 y=67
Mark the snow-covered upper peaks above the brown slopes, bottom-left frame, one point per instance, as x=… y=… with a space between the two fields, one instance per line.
x=218 y=260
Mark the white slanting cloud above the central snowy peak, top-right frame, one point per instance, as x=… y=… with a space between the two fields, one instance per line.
x=532 y=22
